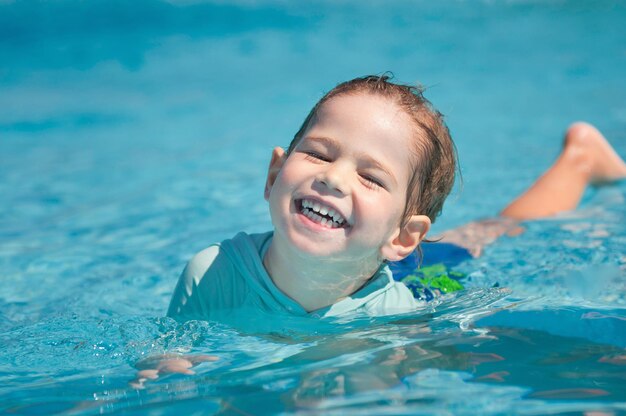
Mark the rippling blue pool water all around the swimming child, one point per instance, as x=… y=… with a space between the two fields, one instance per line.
x=134 y=134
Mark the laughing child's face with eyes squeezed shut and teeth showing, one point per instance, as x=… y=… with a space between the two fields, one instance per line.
x=341 y=193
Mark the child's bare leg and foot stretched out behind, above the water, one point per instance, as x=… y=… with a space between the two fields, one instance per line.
x=587 y=158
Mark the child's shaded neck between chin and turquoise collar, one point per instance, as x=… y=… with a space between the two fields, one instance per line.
x=315 y=282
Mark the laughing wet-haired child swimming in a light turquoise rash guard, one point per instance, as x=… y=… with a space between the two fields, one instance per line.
x=358 y=188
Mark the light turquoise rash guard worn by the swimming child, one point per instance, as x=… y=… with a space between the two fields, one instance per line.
x=227 y=282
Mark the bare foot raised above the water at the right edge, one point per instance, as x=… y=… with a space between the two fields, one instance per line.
x=593 y=154
